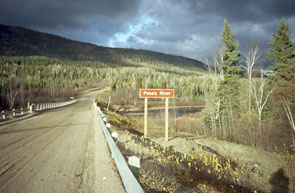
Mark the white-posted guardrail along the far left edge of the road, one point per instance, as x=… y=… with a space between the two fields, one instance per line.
x=35 y=107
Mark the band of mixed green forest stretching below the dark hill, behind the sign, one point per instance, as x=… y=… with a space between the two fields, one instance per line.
x=31 y=79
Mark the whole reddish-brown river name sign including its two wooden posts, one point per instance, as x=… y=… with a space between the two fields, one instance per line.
x=156 y=93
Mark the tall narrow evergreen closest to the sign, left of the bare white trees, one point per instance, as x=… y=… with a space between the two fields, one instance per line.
x=228 y=88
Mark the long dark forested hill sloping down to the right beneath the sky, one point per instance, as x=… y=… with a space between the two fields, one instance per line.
x=19 y=41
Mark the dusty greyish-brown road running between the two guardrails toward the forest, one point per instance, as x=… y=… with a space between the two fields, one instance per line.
x=61 y=150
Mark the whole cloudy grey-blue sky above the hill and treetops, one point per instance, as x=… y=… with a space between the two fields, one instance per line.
x=190 y=28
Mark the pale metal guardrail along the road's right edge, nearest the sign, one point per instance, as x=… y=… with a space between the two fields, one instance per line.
x=129 y=181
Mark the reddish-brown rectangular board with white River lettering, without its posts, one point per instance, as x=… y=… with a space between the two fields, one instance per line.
x=156 y=93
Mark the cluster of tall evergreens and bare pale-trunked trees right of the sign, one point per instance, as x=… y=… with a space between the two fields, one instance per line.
x=254 y=111
